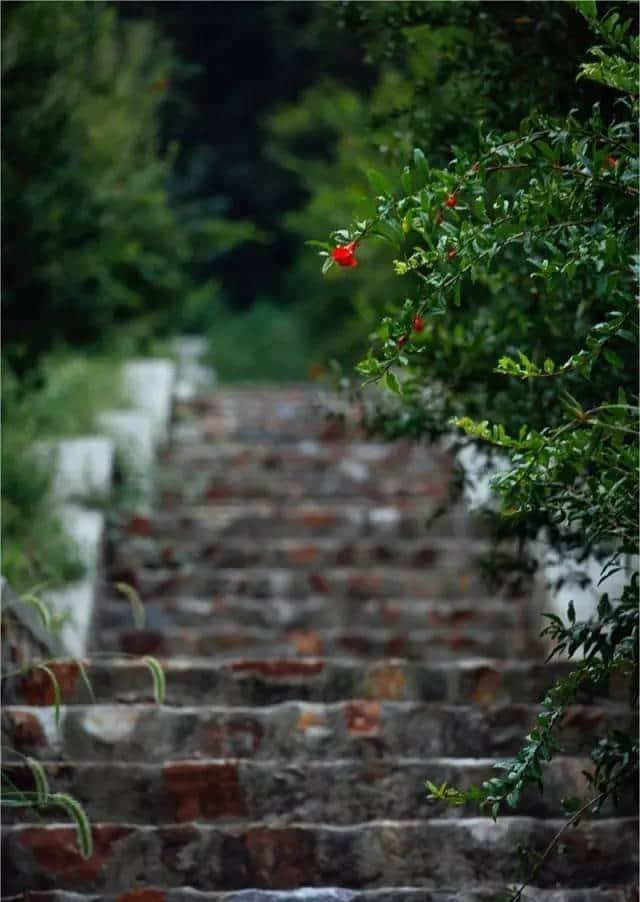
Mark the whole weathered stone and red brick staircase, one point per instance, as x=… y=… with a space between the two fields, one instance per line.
x=325 y=652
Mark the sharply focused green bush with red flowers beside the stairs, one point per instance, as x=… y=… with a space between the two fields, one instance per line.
x=520 y=259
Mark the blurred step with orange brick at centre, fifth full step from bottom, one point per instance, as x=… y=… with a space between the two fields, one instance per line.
x=233 y=641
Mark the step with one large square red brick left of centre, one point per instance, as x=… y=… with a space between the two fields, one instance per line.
x=336 y=792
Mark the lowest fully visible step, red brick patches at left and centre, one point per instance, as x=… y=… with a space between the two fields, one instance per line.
x=417 y=853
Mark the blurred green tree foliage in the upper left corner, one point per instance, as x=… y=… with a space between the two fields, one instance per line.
x=90 y=238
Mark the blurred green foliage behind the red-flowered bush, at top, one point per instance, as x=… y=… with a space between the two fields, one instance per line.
x=440 y=69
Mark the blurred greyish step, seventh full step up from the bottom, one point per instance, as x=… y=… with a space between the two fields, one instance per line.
x=341 y=584
